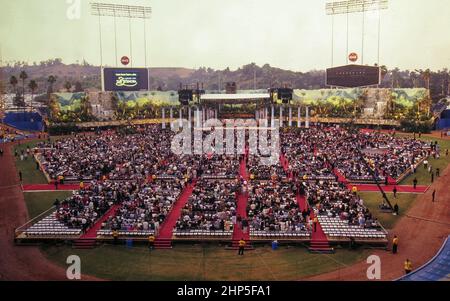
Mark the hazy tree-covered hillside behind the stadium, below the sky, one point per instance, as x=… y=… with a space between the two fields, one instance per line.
x=247 y=77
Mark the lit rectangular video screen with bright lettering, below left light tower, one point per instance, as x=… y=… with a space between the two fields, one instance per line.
x=125 y=79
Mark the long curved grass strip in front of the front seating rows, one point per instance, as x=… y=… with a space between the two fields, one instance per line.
x=207 y=262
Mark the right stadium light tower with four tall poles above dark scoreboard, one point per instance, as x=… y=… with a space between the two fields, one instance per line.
x=356 y=6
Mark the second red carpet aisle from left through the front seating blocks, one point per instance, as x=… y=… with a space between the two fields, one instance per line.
x=164 y=239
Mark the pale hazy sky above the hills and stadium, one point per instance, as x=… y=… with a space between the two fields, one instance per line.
x=289 y=34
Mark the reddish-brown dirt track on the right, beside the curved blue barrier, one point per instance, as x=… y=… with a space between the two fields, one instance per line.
x=421 y=233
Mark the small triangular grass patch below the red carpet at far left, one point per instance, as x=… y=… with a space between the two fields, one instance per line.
x=38 y=202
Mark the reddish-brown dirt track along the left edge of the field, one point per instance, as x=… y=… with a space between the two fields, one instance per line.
x=19 y=263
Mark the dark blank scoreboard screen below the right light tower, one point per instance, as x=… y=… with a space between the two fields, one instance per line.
x=353 y=76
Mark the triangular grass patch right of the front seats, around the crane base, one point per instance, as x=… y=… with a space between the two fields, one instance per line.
x=373 y=199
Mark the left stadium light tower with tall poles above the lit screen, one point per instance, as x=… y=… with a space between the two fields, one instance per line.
x=121 y=11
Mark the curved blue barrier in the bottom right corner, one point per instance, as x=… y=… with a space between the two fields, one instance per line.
x=436 y=269
